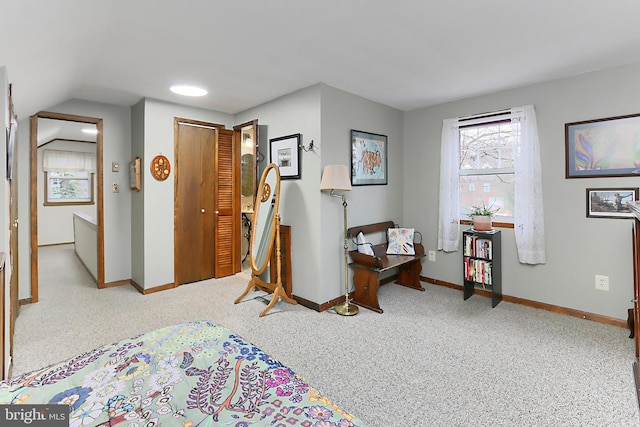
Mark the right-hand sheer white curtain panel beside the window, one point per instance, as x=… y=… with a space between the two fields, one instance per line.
x=528 y=208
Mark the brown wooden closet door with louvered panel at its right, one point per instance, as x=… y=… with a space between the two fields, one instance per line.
x=207 y=219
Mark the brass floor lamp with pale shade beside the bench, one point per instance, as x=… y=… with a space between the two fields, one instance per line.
x=336 y=178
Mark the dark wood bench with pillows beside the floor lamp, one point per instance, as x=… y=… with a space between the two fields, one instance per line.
x=367 y=268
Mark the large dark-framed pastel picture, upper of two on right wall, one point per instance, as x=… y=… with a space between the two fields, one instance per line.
x=603 y=147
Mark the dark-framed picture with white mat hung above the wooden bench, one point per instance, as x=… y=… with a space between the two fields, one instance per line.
x=368 y=158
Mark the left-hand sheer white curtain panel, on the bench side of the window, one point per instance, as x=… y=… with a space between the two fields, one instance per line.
x=449 y=206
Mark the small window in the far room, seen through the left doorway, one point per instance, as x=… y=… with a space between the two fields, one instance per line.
x=68 y=188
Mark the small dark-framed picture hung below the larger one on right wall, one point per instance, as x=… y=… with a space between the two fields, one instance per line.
x=610 y=202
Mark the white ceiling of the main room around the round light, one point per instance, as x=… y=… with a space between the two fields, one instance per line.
x=403 y=53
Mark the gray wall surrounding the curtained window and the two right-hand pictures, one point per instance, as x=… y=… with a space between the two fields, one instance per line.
x=577 y=247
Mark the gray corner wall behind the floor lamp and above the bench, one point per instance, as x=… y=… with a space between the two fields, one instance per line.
x=326 y=115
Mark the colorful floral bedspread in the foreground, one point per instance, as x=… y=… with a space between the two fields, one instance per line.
x=190 y=374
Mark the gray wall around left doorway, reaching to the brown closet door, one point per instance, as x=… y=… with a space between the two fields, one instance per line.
x=137 y=244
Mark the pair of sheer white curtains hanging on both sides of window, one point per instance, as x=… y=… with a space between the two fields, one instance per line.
x=528 y=208
